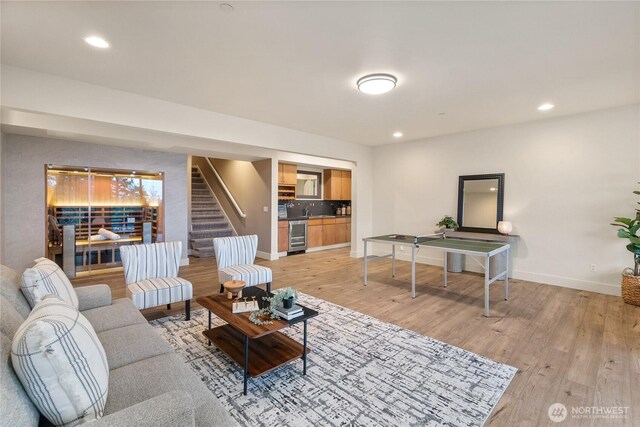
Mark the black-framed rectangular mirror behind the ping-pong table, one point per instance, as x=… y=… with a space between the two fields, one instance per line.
x=480 y=202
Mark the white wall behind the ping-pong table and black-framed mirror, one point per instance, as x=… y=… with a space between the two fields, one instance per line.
x=565 y=180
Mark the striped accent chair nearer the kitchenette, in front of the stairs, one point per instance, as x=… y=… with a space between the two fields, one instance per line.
x=235 y=257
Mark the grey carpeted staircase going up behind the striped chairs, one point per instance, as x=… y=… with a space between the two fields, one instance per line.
x=207 y=219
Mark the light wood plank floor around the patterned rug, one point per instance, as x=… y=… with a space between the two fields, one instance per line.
x=573 y=347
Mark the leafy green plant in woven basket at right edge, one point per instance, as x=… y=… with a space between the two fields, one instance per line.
x=628 y=228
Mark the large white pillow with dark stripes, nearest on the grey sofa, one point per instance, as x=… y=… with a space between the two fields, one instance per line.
x=61 y=363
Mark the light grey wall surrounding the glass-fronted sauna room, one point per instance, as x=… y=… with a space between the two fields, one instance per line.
x=23 y=166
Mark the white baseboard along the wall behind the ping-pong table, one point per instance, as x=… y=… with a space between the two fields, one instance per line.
x=546 y=279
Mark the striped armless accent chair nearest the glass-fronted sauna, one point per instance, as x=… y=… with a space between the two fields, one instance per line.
x=151 y=275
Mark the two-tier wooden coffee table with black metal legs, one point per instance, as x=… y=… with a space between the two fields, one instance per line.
x=257 y=348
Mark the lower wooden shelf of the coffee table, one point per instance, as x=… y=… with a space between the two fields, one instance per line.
x=265 y=353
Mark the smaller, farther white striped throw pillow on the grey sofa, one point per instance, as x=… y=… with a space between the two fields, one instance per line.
x=47 y=278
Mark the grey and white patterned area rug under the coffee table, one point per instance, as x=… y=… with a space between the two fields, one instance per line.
x=361 y=371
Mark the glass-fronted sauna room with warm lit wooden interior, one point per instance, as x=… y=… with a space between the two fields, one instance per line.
x=91 y=212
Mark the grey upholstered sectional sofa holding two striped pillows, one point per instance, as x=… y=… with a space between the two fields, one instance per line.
x=149 y=385
